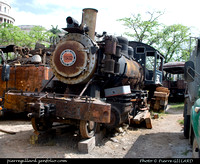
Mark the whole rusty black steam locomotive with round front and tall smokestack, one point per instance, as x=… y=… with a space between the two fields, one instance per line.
x=97 y=79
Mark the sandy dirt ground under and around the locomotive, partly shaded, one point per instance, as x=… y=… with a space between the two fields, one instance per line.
x=164 y=140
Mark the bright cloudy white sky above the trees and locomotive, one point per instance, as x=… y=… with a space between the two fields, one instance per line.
x=54 y=12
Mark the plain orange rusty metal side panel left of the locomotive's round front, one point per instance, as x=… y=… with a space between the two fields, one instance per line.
x=26 y=78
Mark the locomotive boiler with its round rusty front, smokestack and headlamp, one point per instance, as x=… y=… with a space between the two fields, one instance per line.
x=78 y=57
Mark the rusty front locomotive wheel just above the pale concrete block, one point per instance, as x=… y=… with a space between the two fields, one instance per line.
x=87 y=128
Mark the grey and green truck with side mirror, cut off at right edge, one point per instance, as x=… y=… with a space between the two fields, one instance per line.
x=192 y=100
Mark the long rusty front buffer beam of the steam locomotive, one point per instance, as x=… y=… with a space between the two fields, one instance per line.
x=72 y=108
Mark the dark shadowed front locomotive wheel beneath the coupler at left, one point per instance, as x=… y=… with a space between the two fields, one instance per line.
x=41 y=124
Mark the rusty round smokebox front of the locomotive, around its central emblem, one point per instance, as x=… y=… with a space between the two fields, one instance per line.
x=84 y=66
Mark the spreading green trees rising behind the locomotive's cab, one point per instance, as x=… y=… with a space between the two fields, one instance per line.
x=172 y=41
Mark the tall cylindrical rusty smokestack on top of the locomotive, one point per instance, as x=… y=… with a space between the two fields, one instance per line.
x=89 y=19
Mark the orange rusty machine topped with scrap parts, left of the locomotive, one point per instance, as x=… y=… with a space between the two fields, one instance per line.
x=28 y=71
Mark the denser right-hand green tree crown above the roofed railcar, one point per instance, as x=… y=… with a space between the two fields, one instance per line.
x=174 y=42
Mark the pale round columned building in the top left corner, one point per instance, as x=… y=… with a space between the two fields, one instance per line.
x=5 y=16
